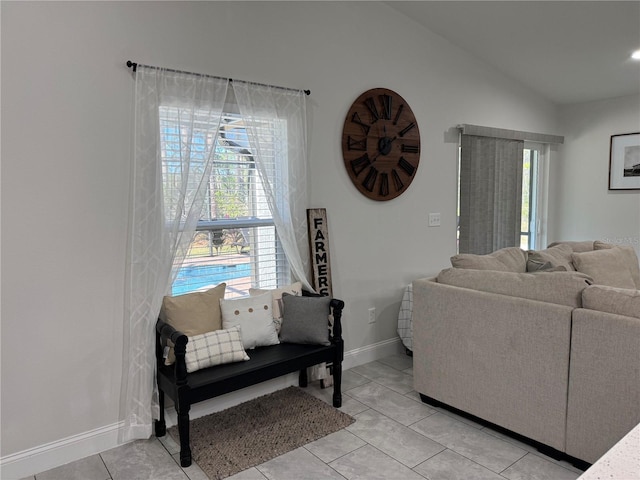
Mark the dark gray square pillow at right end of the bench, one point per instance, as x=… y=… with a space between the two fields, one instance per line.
x=305 y=320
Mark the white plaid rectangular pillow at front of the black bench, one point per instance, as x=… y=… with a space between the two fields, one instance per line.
x=214 y=348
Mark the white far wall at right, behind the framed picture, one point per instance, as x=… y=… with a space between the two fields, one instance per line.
x=586 y=209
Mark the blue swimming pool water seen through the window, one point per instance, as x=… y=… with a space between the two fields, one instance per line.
x=193 y=277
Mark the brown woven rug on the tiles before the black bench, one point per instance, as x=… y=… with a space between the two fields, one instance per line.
x=227 y=442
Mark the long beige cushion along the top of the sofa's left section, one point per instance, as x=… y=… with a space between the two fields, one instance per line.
x=562 y=288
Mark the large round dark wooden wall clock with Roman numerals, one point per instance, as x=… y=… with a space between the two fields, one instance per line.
x=381 y=144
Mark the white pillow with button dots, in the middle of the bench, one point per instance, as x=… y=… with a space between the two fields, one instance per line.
x=254 y=316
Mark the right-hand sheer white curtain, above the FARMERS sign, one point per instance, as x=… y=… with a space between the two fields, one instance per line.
x=286 y=185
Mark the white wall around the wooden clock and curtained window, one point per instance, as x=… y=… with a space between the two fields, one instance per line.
x=66 y=152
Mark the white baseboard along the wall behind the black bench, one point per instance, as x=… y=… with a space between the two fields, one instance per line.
x=60 y=452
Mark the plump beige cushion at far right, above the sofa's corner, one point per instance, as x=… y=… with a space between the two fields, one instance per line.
x=609 y=267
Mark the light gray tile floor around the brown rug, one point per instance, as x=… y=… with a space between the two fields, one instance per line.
x=395 y=436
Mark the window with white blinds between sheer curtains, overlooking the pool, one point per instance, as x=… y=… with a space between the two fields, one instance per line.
x=236 y=240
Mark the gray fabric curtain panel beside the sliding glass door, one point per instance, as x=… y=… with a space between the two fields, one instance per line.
x=490 y=193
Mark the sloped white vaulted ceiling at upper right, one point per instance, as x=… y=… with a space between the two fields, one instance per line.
x=568 y=51
